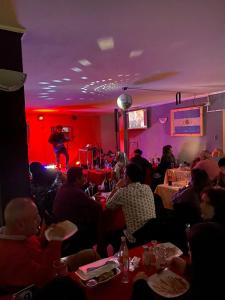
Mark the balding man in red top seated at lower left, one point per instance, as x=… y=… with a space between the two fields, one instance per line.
x=25 y=258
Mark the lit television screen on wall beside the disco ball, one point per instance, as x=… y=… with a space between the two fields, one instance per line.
x=137 y=119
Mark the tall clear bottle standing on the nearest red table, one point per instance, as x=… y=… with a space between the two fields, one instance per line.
x=124 y=260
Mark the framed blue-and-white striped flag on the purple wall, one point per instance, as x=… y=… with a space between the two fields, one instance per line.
x=187 y=121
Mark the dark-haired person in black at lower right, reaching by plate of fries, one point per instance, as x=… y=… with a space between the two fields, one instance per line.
x=207 y=248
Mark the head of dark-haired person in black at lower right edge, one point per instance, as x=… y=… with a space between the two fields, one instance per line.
x=213 y=204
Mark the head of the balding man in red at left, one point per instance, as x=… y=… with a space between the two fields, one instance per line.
x=22 y=217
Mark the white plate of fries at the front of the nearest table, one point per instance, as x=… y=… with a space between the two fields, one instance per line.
x=168 y=284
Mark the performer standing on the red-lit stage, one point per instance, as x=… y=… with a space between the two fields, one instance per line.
x=57 y=139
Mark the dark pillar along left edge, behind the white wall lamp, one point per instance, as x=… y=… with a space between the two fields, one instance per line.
x=14 y=152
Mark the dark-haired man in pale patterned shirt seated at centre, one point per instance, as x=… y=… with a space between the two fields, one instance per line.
x=136 y=201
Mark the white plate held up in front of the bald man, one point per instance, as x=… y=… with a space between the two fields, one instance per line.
x=61 y=231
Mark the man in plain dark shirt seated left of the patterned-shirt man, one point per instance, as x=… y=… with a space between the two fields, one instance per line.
x=73 y=204
